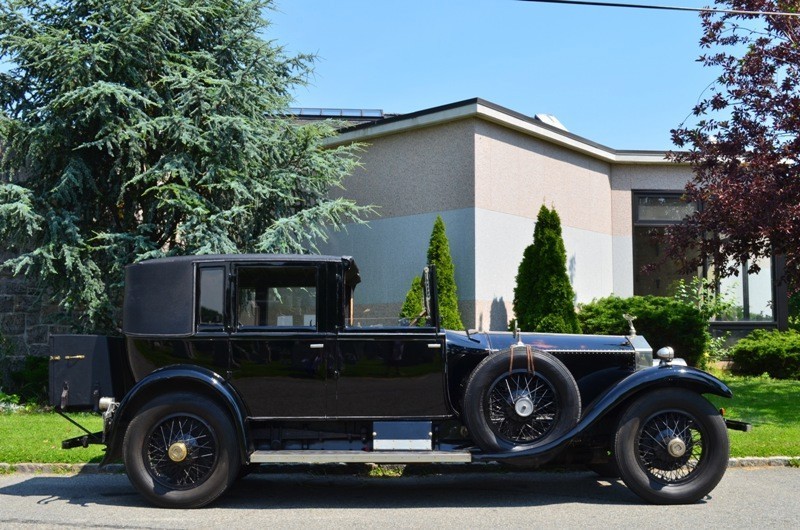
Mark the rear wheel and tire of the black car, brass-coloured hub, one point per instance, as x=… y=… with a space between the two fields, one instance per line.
x=206 y=458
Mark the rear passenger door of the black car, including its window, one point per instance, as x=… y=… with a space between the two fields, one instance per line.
x=279 y=354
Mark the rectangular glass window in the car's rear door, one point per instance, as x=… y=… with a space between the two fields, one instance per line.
x=276 y=297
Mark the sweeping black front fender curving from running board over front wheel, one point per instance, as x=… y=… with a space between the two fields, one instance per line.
x=665 y=376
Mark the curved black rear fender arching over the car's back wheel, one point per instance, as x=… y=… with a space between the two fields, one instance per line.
x=175 y=378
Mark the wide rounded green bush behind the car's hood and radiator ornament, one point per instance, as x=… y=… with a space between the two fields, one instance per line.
x=662 y=321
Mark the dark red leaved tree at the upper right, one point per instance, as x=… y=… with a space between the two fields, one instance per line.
x=745 y=145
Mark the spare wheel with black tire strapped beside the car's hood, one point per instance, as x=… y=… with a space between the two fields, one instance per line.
x=493 y=393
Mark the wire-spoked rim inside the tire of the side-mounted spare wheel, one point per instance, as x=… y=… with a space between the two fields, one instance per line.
x=522 y=407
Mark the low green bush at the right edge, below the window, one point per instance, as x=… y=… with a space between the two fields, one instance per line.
x=774 y=352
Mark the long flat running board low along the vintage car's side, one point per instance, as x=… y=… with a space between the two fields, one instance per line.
x=359 y=457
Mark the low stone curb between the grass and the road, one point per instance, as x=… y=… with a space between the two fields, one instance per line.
x=94 y=469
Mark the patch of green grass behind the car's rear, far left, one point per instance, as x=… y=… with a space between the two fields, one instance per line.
x=36 y=437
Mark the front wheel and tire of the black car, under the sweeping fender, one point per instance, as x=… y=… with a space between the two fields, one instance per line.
x=671 y=447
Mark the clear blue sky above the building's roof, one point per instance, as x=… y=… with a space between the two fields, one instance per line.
x=620 y=77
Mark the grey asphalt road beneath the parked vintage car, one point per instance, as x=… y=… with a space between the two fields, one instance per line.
x=746 y=498
